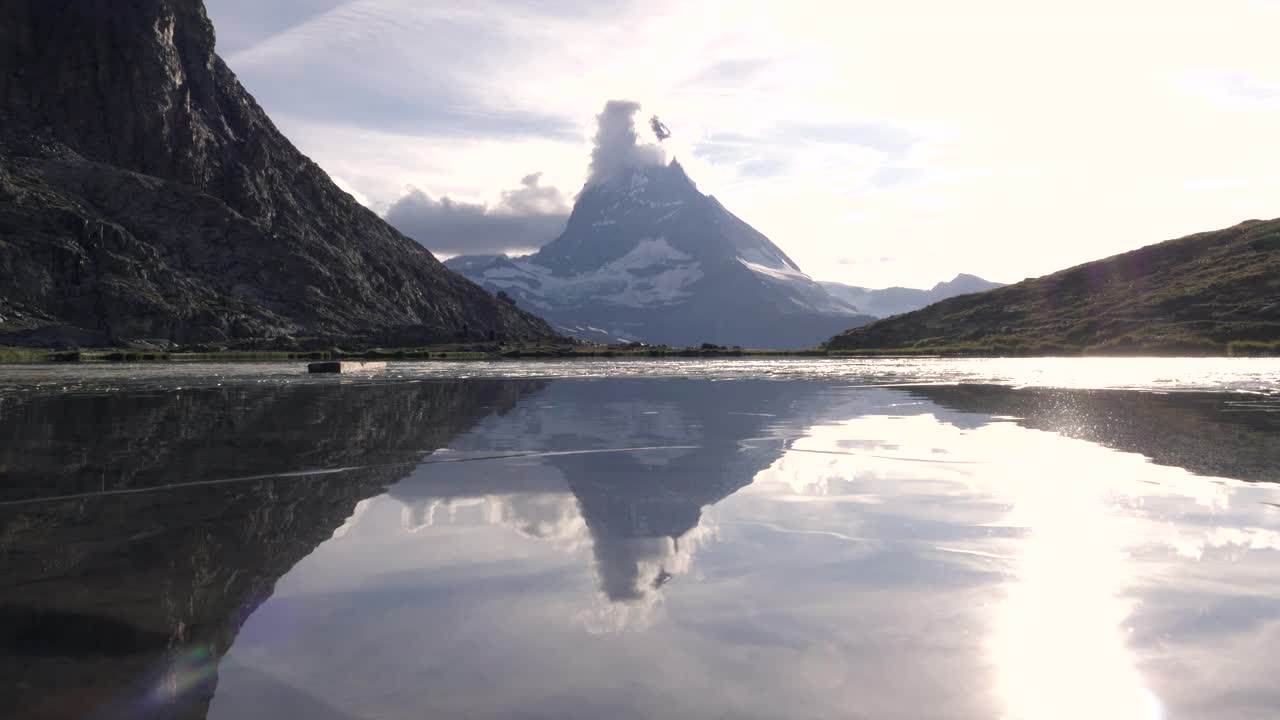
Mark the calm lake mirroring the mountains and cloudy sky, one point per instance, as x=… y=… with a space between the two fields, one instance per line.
x=634 y=540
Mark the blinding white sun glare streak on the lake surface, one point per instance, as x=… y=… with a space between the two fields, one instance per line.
x=1060 y=640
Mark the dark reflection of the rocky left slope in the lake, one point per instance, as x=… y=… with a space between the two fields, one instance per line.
x=122 y=605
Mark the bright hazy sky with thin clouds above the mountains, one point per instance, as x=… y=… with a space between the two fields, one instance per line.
x=876 y=143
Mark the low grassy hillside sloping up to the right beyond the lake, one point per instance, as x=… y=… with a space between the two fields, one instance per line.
x=1212 y=293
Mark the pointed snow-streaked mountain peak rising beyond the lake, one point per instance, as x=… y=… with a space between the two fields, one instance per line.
x=646 y=257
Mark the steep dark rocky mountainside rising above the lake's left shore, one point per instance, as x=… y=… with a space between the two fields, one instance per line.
x=144 y=194
